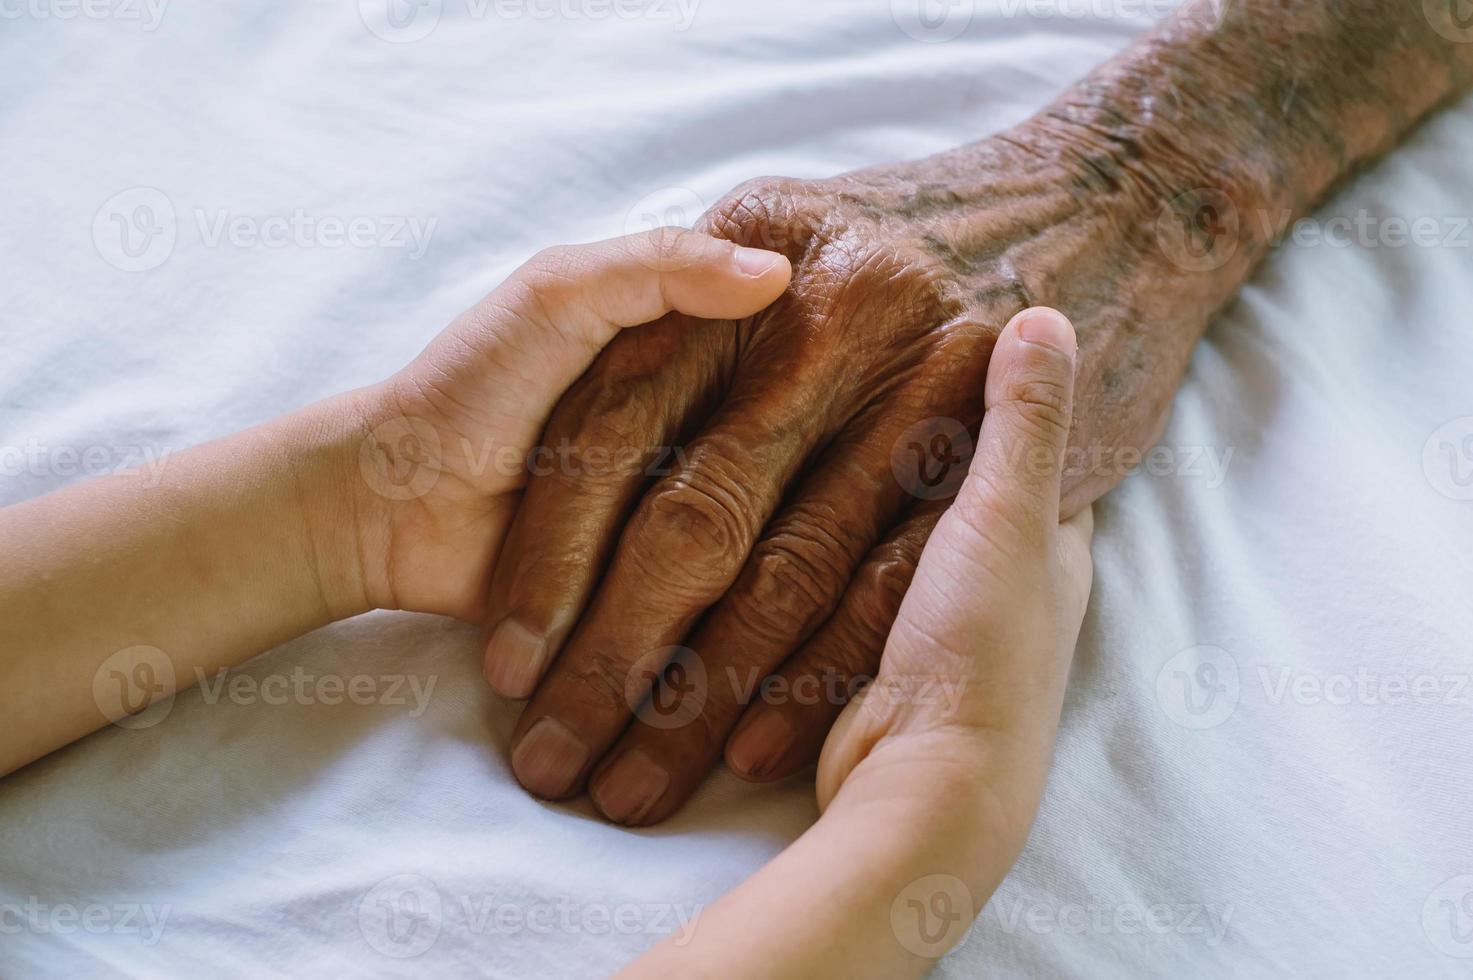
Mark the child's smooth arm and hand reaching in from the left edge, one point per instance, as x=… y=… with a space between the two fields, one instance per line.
x=257 y=539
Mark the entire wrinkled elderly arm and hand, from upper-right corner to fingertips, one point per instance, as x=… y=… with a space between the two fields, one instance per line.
x=781 y=543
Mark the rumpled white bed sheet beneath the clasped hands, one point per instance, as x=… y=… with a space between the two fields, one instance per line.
x=1216 y=808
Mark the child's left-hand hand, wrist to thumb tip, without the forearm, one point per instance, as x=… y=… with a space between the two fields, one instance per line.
x=451 y=435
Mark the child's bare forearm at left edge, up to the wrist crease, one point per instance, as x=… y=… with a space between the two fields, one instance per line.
x=122 y=590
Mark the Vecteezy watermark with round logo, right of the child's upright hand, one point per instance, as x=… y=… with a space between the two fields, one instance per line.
x=1201 y=687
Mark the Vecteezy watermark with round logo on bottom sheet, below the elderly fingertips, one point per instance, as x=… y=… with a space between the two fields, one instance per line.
x=404 y=916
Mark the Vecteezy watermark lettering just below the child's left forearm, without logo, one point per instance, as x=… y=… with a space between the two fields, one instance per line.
x=303 y=687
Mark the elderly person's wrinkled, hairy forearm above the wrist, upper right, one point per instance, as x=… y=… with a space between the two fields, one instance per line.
x=1253 y=111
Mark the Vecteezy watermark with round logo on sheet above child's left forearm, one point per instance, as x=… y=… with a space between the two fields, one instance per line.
x=138 y=231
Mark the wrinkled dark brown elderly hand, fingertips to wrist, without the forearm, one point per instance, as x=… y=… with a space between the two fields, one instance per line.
x=784 y=505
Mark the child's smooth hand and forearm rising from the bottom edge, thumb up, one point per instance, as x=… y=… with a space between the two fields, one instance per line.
x=927 y=804
